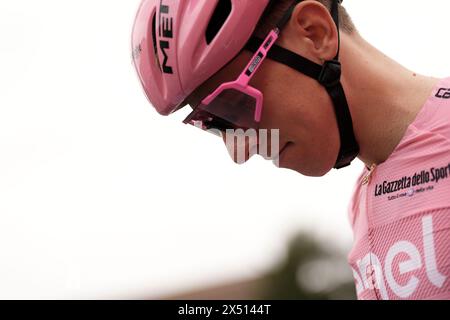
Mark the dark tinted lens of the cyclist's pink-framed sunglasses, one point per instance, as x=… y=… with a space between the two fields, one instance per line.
x=231 y=109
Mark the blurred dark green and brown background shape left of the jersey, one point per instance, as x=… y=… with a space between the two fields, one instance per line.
x=309 y=271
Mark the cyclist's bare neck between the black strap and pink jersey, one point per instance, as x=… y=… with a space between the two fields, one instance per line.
x=384 y=97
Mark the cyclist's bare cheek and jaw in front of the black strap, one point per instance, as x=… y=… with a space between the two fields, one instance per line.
x=301 y=109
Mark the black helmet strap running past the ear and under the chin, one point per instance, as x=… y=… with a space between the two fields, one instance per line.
x=329 y=76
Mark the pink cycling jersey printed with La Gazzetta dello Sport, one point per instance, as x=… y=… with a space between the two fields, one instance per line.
x=401 y=215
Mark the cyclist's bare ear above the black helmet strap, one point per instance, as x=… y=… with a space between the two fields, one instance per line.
x=313 y=31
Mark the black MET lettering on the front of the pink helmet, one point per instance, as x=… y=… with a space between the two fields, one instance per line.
x=166 y=35
